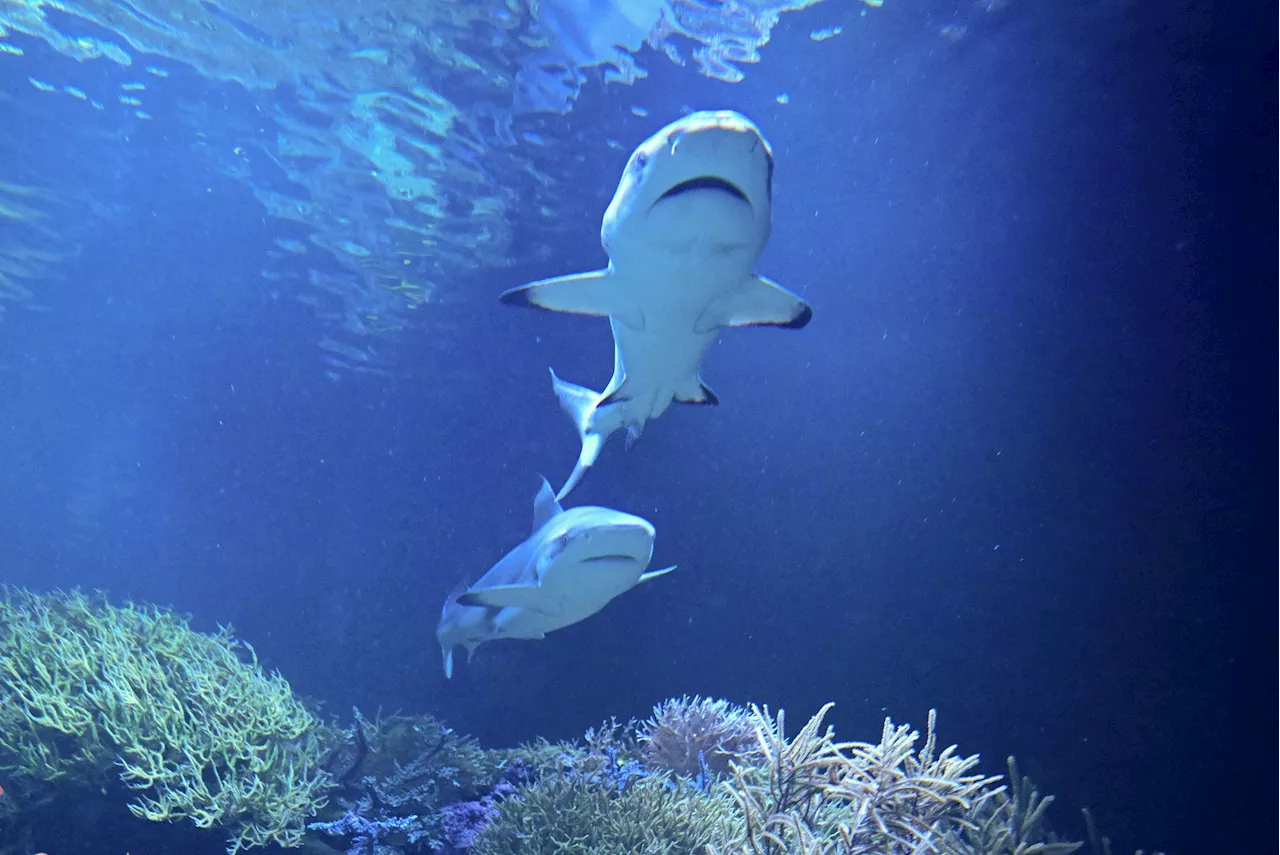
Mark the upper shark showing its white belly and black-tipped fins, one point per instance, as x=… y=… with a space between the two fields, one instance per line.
x=684 y=232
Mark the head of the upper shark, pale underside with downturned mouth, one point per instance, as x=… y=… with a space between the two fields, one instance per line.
x=711 y=172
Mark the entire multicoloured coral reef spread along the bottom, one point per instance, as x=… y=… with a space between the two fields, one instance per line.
x=135 y=703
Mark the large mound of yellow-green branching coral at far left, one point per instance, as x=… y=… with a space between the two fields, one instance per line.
x=191 y=721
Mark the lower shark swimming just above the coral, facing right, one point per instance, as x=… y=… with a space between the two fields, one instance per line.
x=570 y=568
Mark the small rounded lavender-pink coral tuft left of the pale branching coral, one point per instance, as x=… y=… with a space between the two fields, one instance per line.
x=694 y=737
